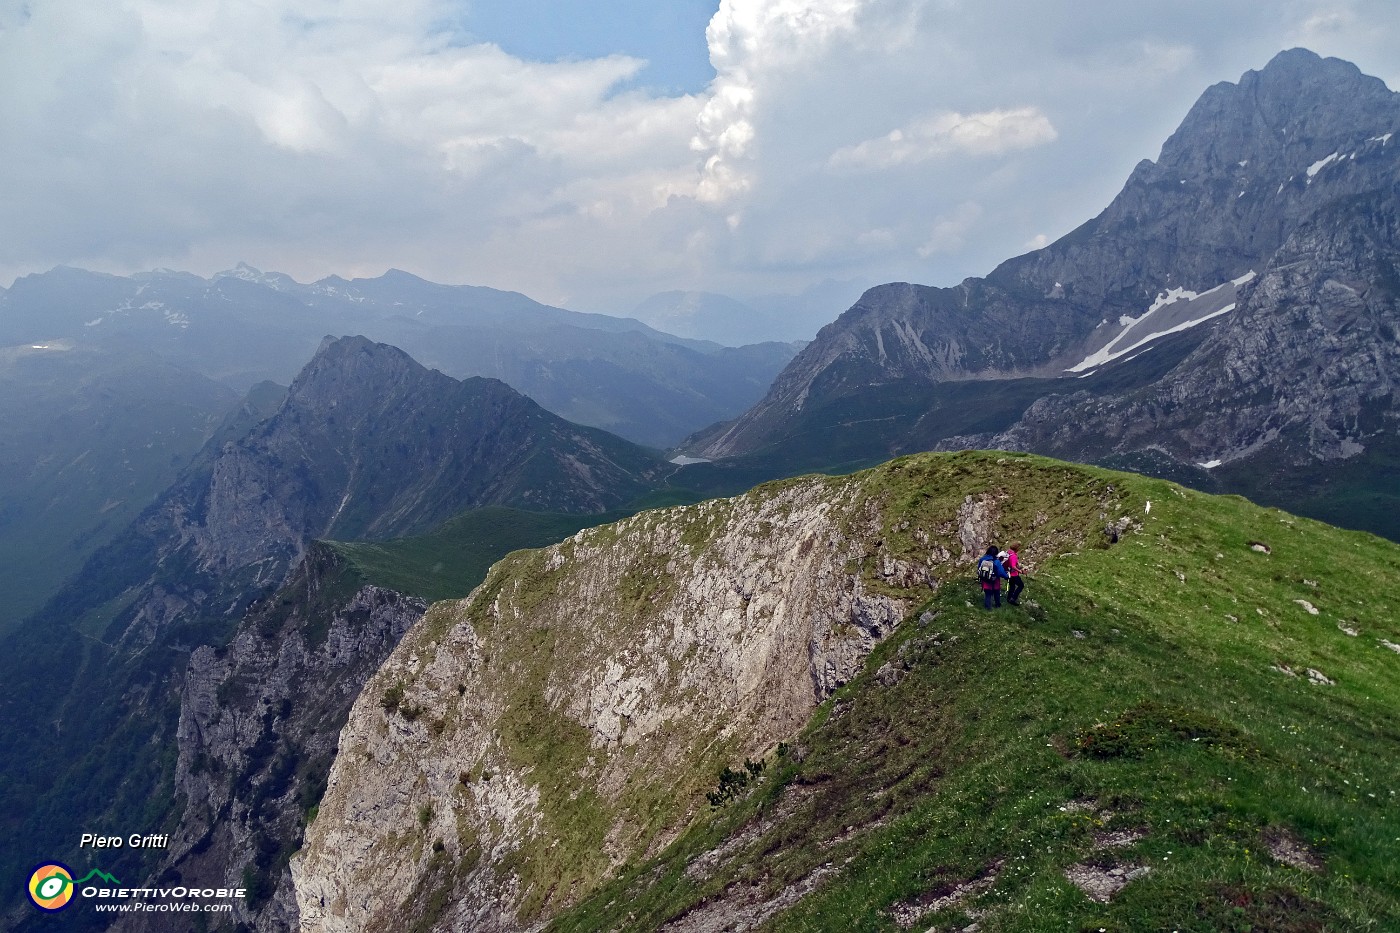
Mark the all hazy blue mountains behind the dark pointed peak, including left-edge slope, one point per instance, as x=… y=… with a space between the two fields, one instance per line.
x=113 y=383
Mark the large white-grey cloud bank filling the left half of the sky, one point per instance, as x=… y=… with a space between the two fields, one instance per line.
x=353 y=134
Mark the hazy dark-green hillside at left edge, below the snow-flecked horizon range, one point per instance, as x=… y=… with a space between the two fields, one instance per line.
x=90 y=439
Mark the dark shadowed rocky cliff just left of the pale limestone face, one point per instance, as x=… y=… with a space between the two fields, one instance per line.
x=258 y=729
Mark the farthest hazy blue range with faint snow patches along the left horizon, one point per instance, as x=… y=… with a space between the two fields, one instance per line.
x=244 y=326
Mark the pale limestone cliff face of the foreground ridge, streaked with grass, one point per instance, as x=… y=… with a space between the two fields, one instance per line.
x=572 y=714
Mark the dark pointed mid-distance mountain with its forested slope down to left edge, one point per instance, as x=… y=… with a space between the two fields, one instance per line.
x=366 y=443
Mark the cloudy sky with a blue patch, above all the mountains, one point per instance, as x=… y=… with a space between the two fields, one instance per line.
x=591 y=155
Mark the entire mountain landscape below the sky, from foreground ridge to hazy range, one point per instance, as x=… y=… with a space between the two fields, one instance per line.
x=779 y=710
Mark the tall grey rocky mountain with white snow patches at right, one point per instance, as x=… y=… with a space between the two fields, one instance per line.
x=1276 y=193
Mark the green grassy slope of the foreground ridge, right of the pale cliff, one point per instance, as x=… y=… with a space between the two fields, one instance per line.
x=1150 y=705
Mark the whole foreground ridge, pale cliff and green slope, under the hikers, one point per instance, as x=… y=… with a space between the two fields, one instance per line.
x=785 y=711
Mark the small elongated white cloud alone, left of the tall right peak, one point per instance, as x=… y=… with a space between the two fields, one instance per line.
x=988 y=134
